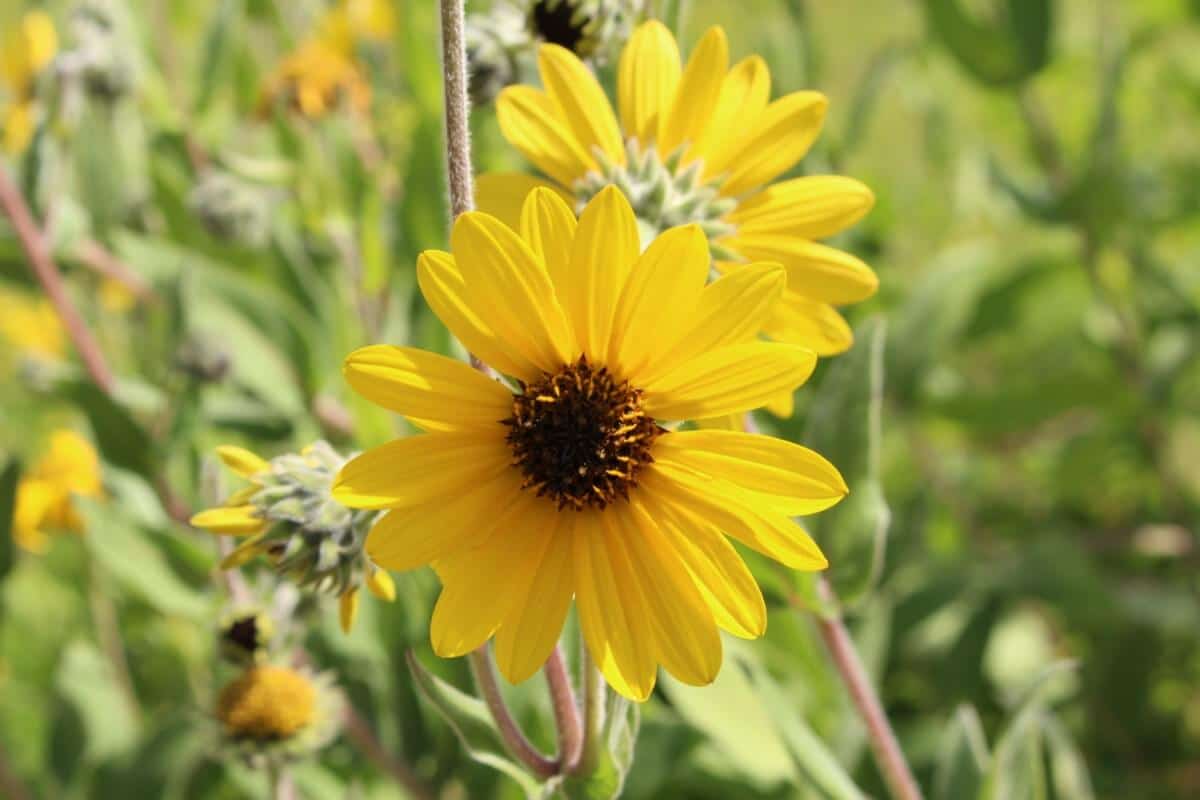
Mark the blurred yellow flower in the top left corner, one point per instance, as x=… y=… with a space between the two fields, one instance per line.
x=27 y=51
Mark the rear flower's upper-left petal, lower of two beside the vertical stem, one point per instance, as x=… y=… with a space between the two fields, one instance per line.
x=535 y=125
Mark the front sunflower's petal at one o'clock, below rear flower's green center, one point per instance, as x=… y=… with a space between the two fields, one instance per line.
x=659 y=299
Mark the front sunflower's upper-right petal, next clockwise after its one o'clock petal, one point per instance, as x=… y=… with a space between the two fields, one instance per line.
x=731 y=311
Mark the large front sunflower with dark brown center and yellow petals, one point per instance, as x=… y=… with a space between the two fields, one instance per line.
x=569 y=480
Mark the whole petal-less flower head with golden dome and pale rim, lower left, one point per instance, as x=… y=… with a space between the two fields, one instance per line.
x=278 y=714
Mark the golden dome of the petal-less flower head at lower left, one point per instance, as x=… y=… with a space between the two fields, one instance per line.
x=267 y=703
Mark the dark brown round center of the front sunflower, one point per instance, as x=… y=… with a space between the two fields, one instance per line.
x=580 y=436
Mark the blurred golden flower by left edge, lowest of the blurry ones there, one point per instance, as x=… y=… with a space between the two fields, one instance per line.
x=45 y=495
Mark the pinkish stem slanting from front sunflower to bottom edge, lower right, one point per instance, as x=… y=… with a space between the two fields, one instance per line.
x=887 y=751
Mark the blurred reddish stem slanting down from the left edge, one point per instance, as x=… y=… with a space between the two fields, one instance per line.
x=38 y=252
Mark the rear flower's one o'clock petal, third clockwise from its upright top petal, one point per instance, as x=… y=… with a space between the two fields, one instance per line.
x=745 y=95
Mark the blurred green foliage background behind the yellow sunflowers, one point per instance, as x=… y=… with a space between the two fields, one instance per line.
x=1021 y=410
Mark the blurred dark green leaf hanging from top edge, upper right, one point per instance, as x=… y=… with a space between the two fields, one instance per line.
x=1005 y=53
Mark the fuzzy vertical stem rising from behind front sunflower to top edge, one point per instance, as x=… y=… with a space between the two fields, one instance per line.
x=458 y=107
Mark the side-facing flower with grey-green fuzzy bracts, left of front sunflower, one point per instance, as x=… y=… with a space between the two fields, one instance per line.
x=289 y=515
